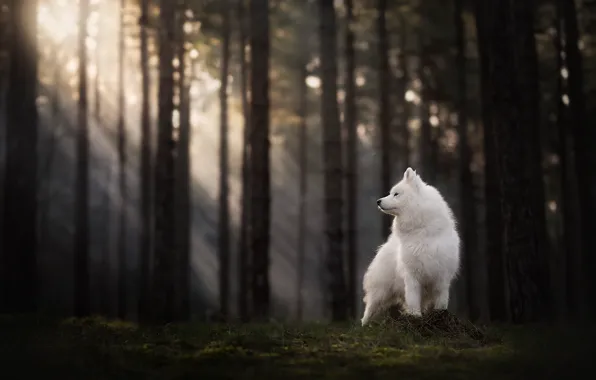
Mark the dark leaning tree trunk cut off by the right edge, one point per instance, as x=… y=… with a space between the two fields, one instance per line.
x=585 y=155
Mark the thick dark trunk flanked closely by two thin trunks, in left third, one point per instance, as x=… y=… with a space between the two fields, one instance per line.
x=165 y=216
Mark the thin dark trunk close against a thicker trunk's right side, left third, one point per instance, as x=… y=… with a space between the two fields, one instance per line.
x=183 y=180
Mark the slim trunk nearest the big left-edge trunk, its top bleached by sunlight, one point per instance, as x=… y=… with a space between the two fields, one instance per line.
x=81 y=265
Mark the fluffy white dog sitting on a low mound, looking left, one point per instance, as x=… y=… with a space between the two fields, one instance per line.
x=417 y=264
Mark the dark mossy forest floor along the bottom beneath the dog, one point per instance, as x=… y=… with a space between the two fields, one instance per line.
x=98 y=349
